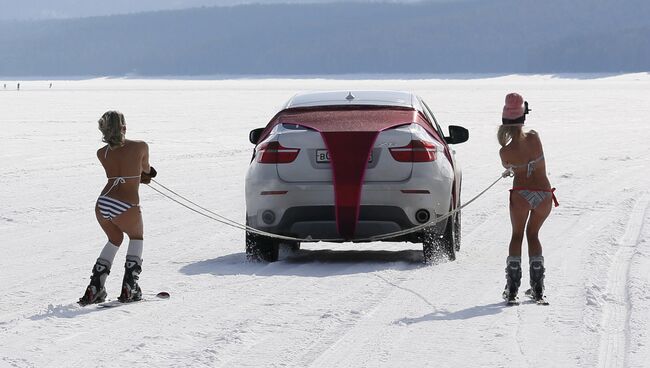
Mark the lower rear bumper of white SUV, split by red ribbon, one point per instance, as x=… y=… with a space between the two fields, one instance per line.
x=307 y=209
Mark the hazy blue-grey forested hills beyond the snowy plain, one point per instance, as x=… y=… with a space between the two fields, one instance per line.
x=500 y=36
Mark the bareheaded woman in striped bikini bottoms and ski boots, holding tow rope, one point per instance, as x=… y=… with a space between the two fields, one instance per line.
x=126 y=164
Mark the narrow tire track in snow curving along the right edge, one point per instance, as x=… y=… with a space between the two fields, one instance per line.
x=615 y=322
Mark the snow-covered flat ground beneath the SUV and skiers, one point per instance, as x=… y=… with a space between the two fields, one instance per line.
x=327 y=305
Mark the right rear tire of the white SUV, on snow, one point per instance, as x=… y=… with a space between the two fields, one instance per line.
x=434 y=246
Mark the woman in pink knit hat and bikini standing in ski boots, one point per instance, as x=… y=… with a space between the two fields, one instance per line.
x=531 y=196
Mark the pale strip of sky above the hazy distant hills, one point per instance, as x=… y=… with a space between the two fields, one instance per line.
x=45 y=9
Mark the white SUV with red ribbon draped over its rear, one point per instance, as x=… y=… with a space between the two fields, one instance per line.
x=344 y=166
